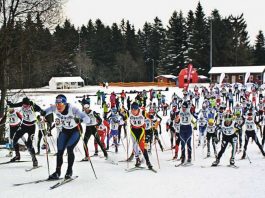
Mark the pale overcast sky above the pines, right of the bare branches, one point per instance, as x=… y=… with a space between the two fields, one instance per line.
x=140 y=11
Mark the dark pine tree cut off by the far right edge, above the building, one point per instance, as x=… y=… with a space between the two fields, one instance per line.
x=259 y=50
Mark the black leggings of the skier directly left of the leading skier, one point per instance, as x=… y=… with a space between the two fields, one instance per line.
x=30 y=130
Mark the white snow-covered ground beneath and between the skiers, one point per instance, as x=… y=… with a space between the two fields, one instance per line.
x=114 y=181
